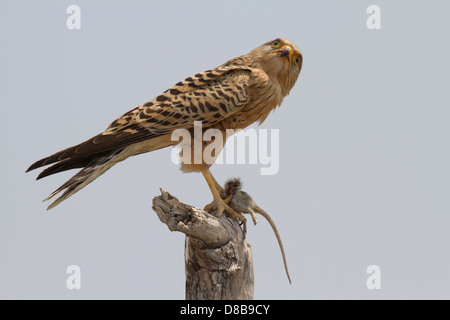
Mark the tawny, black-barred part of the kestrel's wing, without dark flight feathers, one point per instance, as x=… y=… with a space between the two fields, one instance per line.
x=209 y=96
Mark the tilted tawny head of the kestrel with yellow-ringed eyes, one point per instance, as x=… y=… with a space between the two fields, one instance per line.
x=281 y=60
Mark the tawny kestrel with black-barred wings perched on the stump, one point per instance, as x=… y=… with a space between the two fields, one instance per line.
x=234 y=95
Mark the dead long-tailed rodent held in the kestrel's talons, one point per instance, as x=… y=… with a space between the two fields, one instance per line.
x=240 y=201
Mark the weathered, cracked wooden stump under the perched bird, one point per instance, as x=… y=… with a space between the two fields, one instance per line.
x=218 y=259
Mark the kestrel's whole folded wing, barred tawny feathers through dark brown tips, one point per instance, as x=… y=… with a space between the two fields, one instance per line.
x=209 y=96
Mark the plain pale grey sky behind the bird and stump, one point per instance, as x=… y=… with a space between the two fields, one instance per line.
x=364 y=154
